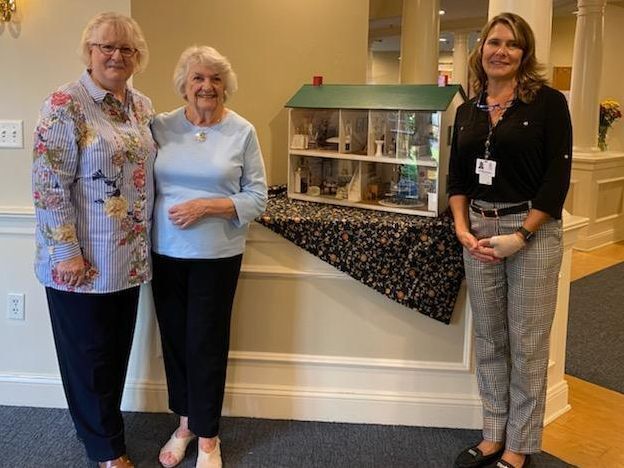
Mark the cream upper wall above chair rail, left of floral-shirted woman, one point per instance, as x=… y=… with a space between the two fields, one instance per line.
x=37 y=54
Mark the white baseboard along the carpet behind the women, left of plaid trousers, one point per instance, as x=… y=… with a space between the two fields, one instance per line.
x=276 y=402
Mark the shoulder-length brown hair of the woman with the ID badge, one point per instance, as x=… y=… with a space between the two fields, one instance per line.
x=530 y=76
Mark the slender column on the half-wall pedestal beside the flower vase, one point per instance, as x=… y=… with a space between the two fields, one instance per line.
x=586 y=74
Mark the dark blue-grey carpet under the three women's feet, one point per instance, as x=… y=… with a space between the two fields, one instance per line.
x=45 y=438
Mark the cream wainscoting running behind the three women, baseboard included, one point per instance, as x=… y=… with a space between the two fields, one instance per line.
x=308 y=343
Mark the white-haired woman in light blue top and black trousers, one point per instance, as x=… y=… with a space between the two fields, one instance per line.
x=210 y=184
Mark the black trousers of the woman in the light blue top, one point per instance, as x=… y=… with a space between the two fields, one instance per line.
x=193 y=301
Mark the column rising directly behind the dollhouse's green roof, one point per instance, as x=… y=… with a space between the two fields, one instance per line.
x=420 y=41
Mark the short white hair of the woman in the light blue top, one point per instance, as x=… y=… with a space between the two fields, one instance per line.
x=209 y=57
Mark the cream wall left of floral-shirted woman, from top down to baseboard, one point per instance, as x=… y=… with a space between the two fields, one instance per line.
x=37 y=54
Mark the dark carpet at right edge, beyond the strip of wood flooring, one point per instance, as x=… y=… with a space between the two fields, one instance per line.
x=595 y=348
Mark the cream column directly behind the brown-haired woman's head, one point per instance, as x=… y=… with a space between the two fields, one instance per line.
x=538 y=13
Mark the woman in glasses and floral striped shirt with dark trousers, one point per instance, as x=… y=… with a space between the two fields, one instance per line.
x=93 y=196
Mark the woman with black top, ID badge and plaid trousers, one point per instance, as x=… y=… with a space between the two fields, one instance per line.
x=508 y=177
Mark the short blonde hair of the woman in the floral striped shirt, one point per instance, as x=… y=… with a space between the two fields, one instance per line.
x=127 y=29
